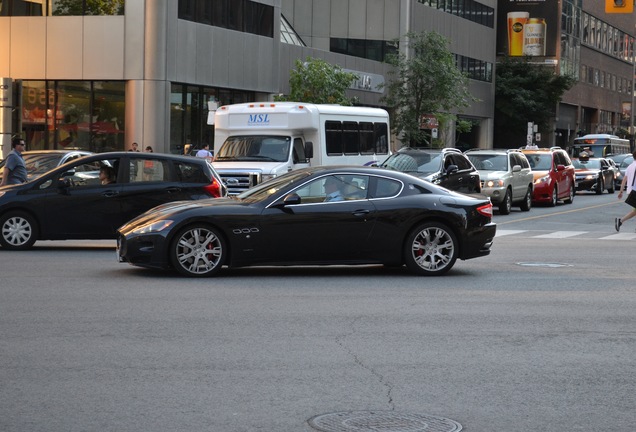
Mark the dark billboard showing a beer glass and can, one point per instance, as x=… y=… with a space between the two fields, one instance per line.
x=528 y=27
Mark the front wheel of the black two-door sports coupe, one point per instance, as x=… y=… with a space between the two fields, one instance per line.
x=198 y=250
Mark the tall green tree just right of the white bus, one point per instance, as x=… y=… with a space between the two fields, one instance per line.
x=425 y=80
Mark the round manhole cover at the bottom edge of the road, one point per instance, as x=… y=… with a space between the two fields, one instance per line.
x=382 y=421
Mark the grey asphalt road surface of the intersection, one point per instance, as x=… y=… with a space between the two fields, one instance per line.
x=539 y=336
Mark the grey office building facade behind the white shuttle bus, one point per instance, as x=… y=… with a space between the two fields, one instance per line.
x=144 y=70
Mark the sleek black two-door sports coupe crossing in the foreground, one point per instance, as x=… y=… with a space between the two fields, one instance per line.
x=385 y=217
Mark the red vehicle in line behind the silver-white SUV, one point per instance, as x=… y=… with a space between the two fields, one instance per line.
x=553 y=175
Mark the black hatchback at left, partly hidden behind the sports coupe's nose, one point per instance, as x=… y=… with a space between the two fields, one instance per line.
x=70 y=202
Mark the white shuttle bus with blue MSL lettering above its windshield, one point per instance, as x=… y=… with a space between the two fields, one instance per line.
x=254 y=142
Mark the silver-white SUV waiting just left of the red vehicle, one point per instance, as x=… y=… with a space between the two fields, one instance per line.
x=506 y=177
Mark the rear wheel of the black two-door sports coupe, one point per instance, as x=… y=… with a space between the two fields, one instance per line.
x=430 y=249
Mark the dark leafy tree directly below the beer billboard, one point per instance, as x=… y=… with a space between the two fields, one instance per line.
x=525 y=92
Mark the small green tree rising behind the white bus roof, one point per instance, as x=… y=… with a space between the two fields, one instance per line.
x=316 y=81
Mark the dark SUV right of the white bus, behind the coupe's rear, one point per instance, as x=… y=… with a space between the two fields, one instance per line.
x=446 y=167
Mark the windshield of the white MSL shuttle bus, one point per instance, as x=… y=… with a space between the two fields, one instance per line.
x=255 y=148
